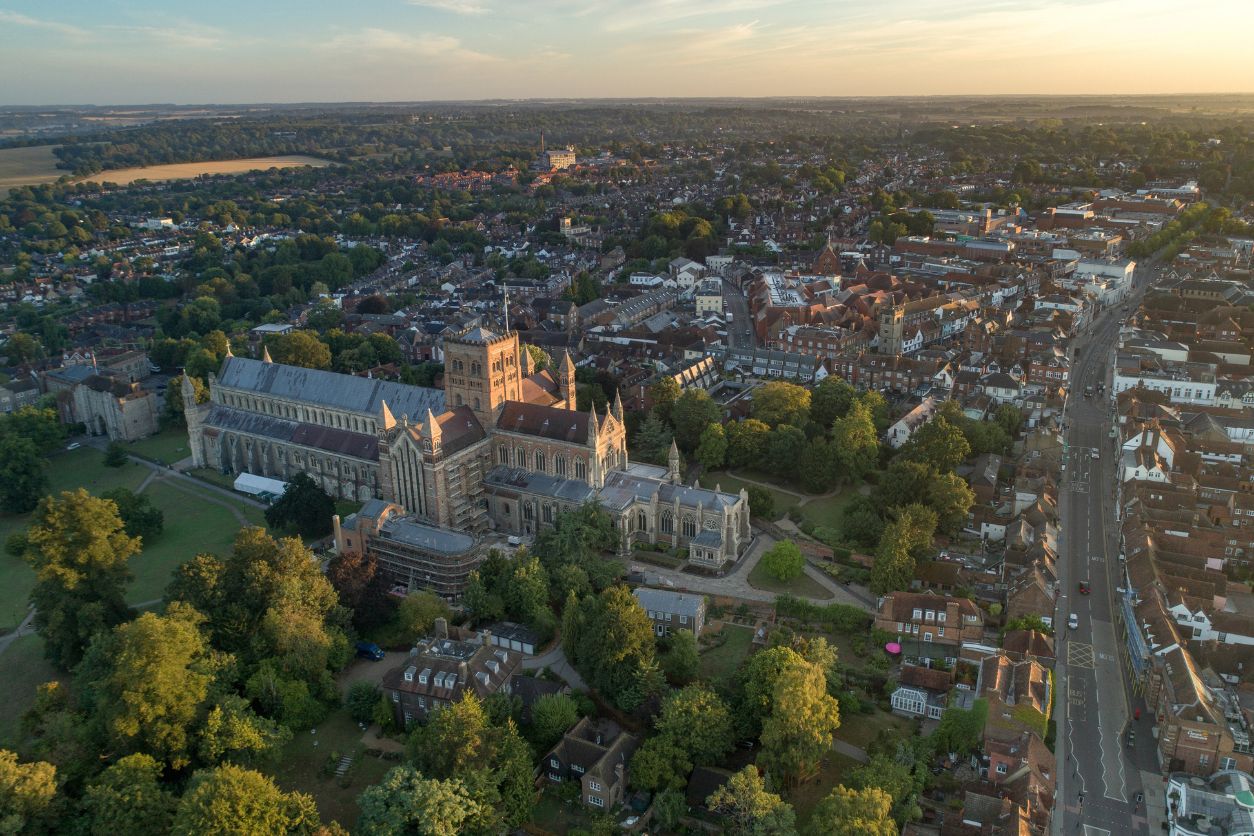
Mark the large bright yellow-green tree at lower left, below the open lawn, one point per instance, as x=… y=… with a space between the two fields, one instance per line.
x=159 y=679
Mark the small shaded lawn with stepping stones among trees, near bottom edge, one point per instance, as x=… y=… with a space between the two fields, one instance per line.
x=302 y=764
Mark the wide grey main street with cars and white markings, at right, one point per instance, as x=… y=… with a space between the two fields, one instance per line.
x=1099 y=775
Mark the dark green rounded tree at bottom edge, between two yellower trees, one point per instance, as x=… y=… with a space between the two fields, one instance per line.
x=130 y=798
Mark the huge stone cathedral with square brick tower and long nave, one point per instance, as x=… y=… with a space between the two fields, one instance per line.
x=502 y=448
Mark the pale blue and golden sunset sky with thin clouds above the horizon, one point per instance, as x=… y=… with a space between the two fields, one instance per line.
x=132 y=52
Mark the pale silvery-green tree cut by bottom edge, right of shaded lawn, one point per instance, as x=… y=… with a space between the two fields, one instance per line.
x=408 y=804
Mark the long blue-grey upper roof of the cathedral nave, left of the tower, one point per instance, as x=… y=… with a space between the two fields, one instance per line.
x=329 y=389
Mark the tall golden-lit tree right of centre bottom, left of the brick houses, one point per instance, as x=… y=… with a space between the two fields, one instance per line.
x=802 y=724
